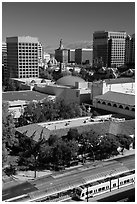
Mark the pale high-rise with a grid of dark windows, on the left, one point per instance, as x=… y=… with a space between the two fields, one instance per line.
x=22 y=57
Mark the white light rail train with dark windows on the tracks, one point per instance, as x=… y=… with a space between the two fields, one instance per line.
x=105 y=185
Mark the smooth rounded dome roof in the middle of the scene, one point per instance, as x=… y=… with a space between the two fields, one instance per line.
x=69 y=80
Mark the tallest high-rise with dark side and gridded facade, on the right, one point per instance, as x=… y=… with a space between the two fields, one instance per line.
x=109 y=47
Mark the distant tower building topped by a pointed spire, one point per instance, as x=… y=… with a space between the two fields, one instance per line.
x=61 y=54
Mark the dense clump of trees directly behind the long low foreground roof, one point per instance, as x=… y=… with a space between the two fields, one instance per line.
x=49 y=111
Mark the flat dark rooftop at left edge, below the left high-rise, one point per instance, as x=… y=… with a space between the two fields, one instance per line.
x=23 y=96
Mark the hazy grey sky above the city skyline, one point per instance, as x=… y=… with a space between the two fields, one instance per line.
x=71 y=21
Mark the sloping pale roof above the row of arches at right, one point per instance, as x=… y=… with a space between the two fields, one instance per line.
x=122 y=98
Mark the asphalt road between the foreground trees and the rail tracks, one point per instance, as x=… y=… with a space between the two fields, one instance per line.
x=49 y=183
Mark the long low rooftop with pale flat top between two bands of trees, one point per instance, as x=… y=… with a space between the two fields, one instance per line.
x=61 y=128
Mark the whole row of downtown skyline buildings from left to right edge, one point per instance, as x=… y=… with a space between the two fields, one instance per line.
x=22 y=56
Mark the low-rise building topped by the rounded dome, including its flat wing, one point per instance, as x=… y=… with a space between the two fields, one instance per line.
x=68 y=88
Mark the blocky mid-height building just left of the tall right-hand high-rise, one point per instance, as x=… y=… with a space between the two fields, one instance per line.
x=83 y=56
